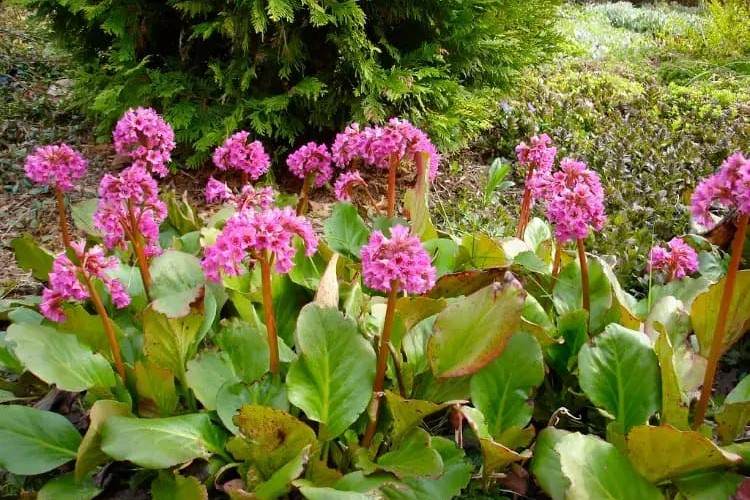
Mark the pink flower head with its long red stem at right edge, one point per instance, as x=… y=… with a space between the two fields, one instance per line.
x=729 y=188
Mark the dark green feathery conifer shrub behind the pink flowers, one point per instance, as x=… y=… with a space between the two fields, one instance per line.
x=287 y=68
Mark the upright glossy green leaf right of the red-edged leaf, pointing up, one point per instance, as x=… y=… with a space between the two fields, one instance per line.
x=606 y=374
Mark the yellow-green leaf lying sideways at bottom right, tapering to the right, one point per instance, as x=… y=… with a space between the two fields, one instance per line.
x=664 y=452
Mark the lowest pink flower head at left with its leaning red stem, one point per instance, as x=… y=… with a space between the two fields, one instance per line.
x=69 y=281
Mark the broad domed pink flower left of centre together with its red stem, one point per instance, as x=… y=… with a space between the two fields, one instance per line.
x=264 y=236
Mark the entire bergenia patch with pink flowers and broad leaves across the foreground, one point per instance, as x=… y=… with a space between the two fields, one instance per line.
x=254 y=353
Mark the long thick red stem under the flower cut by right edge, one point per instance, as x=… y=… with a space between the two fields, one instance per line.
x=738 y=244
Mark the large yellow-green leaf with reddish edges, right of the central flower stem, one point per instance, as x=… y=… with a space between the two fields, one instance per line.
x=470 y=333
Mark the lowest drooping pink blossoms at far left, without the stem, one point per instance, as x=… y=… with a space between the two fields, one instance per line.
x=65 y=285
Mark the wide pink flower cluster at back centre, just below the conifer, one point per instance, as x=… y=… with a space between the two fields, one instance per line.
x=375 y=146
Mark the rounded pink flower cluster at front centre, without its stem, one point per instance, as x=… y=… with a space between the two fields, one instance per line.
x=400 y=258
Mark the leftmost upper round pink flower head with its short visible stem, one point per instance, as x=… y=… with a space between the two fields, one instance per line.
x=58 y=166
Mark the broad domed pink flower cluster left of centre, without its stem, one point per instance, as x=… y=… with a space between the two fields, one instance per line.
x=249 y=233
